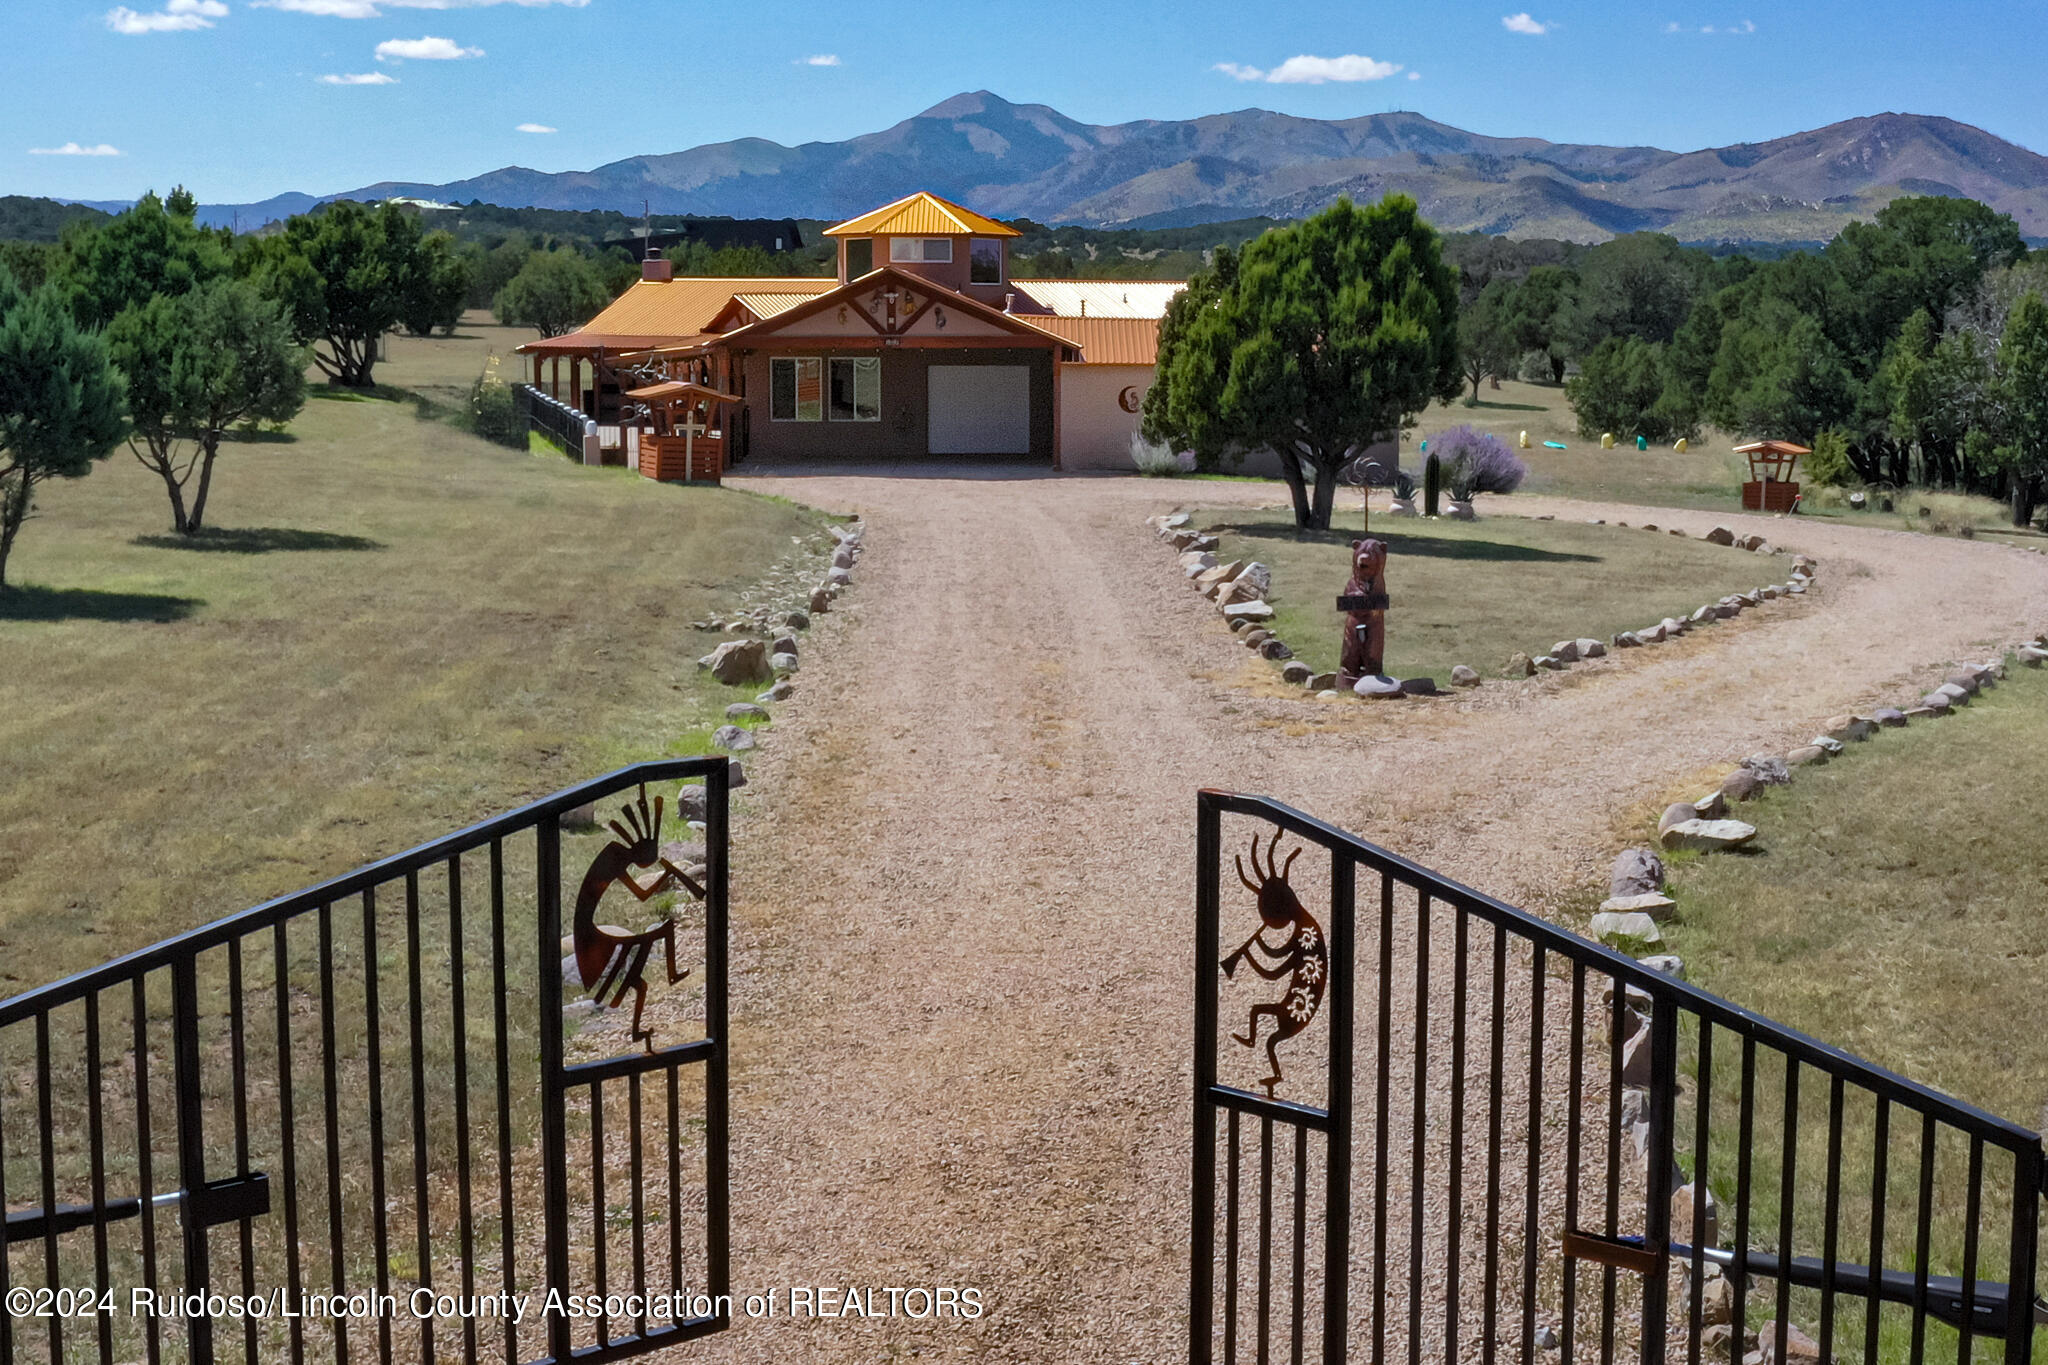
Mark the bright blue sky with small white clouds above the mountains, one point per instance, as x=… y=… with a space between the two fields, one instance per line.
x=245 y=99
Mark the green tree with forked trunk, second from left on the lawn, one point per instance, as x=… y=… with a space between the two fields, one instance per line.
x=198 y=367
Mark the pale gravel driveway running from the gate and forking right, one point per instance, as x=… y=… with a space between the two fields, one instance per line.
x=964 y=875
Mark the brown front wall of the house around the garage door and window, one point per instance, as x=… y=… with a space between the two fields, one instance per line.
x=906 y=398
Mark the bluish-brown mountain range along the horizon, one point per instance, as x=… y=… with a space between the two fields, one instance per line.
x=1029 y=161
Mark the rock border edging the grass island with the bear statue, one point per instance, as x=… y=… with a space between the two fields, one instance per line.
x=1242 y=586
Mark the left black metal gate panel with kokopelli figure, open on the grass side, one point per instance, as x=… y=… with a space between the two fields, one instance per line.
x=361 y=1125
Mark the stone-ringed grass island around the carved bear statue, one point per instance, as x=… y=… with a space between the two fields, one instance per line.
x=1476 y=592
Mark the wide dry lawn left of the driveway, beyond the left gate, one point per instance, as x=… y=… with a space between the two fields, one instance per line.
x=390 y=631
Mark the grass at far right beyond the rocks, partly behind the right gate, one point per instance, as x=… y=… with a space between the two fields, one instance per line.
x=1891 y=910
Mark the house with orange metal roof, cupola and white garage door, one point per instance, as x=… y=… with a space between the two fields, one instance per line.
x=923 y=347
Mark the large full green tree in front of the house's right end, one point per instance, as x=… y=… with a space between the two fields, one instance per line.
x=1332 y=337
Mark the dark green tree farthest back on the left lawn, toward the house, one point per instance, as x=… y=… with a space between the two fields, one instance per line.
x=341 y=275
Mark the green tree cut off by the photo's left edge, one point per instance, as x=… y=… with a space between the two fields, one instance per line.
x=60 y=402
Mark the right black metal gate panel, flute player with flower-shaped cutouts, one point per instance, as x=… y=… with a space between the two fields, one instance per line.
x=1572 y=1155
